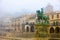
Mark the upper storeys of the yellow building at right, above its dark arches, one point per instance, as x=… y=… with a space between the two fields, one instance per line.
x=54 y=19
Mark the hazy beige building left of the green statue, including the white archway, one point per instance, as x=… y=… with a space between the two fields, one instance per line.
x=24 y=23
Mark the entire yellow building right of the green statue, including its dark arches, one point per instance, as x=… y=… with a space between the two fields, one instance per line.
x=54 y=26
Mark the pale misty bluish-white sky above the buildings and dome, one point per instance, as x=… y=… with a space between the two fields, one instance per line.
x=16 y=7
